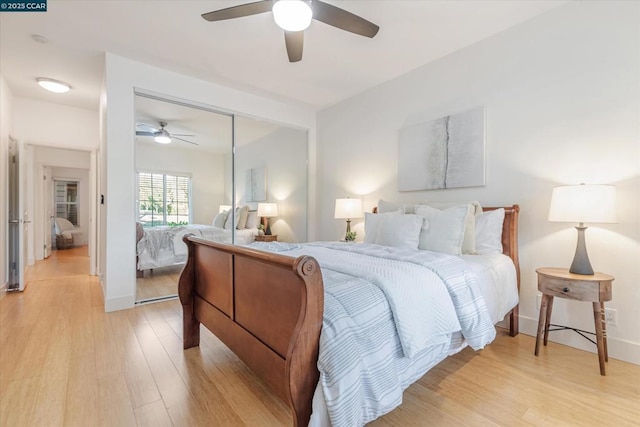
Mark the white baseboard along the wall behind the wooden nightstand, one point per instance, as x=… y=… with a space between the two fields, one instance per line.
x=618 y=349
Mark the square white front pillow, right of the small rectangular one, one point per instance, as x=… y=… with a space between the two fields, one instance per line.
x=443 y=231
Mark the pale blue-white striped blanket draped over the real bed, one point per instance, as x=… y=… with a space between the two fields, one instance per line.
x=389 y=313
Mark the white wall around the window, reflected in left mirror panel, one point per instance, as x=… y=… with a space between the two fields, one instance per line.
x=206 y=171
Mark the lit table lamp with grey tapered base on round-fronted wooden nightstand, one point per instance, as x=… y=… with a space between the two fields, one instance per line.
x=583 y=203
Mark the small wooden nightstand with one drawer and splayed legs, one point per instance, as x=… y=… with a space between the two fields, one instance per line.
x=558 y=282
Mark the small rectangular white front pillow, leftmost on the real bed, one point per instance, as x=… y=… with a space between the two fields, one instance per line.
x=400 y=231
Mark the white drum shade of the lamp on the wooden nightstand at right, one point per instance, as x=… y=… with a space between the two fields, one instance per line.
x=583 y=203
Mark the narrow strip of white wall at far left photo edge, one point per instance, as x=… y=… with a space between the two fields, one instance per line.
x=6 y=129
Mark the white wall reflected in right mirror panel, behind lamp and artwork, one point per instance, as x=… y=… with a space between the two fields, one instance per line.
x=283 y=154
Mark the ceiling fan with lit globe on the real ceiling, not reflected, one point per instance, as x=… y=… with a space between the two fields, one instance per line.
x=294 y=16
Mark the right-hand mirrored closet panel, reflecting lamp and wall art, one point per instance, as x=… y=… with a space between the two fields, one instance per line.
x=271 y=168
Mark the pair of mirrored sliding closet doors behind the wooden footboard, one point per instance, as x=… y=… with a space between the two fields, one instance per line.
x=190 y=179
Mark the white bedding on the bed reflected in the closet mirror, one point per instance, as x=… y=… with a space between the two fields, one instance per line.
x=163 y=246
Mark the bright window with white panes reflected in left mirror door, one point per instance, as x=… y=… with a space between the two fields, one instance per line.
x=163 y=199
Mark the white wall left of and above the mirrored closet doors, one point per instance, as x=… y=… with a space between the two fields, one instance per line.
x=122 y=77
